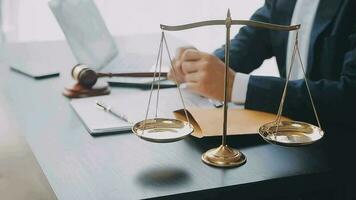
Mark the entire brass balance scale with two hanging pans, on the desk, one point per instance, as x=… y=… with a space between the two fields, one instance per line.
x=285 y=133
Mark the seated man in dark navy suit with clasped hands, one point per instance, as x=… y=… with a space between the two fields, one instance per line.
x=328 y=49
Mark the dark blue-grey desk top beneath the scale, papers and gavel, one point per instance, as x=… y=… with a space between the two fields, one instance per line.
x=79 y=166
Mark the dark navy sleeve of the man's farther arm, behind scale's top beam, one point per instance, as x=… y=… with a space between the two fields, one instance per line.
x=251 y=46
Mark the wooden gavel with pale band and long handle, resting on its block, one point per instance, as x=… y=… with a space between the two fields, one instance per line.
x=87 y=77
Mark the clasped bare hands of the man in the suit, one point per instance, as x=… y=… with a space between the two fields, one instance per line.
x=202 y=73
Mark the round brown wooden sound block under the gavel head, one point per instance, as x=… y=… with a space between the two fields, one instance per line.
x=78 y=91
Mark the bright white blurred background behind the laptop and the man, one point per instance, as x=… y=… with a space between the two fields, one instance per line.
x=32 y=20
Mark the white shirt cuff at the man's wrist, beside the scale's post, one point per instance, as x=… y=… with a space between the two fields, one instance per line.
x=239 y=88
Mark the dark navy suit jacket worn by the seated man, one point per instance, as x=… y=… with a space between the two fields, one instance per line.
x=331 y=67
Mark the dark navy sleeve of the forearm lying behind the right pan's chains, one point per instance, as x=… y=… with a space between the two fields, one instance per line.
x=335 y=100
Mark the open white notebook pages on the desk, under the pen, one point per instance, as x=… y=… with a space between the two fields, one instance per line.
x=132 y=104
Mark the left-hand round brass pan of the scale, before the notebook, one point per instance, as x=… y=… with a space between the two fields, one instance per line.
x=162 y=130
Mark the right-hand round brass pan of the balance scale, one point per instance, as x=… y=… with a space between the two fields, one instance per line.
x=291 y=133
